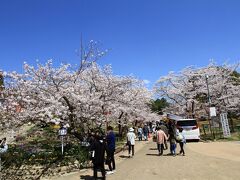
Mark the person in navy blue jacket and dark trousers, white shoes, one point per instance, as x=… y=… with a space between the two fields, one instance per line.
x=110 y=139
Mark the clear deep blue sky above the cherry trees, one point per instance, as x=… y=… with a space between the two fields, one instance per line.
x=147 y=38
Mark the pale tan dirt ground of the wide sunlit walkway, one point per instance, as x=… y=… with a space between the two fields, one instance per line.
x=203 y=161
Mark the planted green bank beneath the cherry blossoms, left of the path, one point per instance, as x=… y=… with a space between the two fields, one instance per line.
x=42 y=146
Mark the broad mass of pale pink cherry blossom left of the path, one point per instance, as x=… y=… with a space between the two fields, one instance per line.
x=84 y=97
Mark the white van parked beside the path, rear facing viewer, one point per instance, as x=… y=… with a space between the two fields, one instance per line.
x=190 y=128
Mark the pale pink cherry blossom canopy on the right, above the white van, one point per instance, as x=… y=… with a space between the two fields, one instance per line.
x=187 y=90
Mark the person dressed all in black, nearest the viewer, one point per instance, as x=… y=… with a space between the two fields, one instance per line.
x=98 y=148
